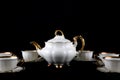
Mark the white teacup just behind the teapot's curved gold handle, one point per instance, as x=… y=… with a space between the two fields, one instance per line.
x=85 y=55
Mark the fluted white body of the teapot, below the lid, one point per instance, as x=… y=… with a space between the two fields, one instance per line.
x=58 y=53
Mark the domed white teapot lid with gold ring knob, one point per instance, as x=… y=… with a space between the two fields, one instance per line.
x=59 y=38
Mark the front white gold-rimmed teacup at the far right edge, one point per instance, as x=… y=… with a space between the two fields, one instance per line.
x=112 y=63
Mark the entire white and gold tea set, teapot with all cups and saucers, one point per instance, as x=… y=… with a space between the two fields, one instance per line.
x=59 y=51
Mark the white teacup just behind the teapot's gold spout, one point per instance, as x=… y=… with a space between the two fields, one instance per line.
x=29 y=55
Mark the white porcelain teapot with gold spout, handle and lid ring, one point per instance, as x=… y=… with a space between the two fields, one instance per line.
x=59 y=50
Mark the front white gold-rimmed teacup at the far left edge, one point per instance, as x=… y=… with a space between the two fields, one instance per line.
x=8 y=63
